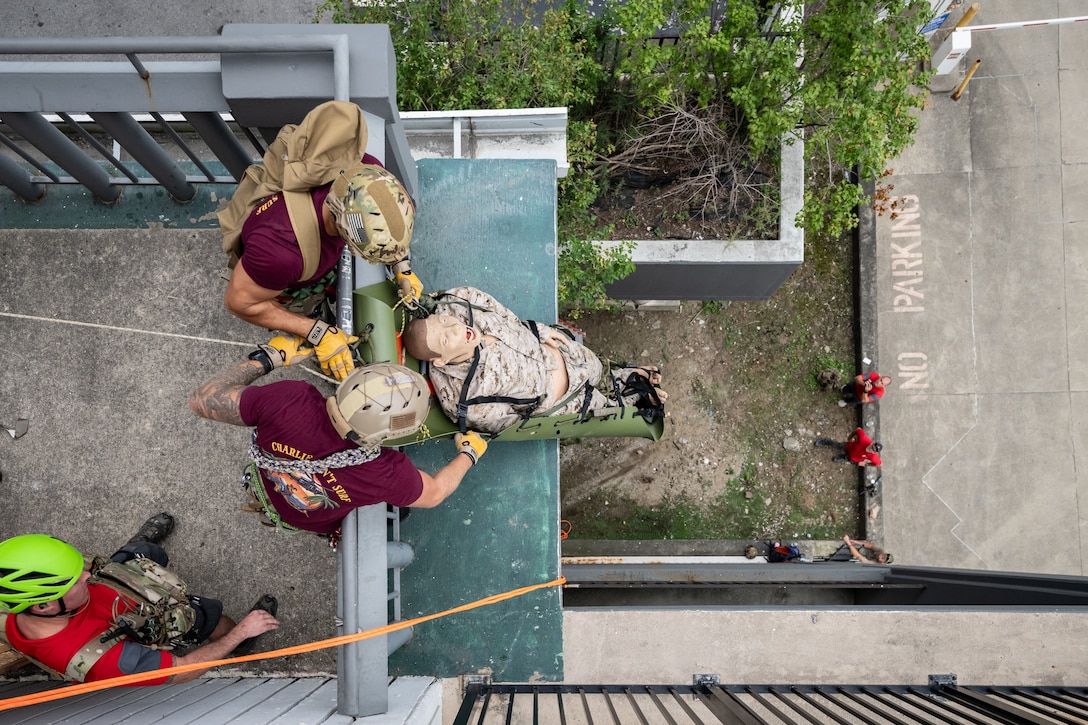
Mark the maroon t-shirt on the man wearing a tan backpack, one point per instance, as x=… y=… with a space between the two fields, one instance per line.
x=270 y=253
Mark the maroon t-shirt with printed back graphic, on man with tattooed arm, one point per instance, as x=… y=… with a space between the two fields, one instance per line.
x=292 y=423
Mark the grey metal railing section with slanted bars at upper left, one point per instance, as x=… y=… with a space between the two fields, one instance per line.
x=51 y=80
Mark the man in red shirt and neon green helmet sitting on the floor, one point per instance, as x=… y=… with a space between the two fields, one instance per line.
x=79 y=623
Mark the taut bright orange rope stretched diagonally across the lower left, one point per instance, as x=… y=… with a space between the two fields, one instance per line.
x=81 y=689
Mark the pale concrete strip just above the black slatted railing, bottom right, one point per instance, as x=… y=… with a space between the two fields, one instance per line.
x=822 y=646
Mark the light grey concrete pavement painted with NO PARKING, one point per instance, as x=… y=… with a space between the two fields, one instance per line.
x=982 y=310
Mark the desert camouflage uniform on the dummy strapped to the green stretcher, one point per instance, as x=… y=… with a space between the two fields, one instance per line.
x=516 y=366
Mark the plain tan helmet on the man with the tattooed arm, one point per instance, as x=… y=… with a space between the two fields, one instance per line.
x=379 y=402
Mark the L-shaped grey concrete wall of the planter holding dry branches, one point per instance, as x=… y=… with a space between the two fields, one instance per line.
x=724 y=269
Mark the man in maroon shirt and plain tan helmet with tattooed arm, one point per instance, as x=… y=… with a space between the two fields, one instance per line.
x=318 y=458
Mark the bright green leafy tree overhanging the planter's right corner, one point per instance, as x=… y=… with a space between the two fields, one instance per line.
x=855 y=93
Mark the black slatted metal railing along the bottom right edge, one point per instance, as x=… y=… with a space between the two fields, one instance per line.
x=943 y=702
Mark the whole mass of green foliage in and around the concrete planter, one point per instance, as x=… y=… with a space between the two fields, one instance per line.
x=854 y=95
